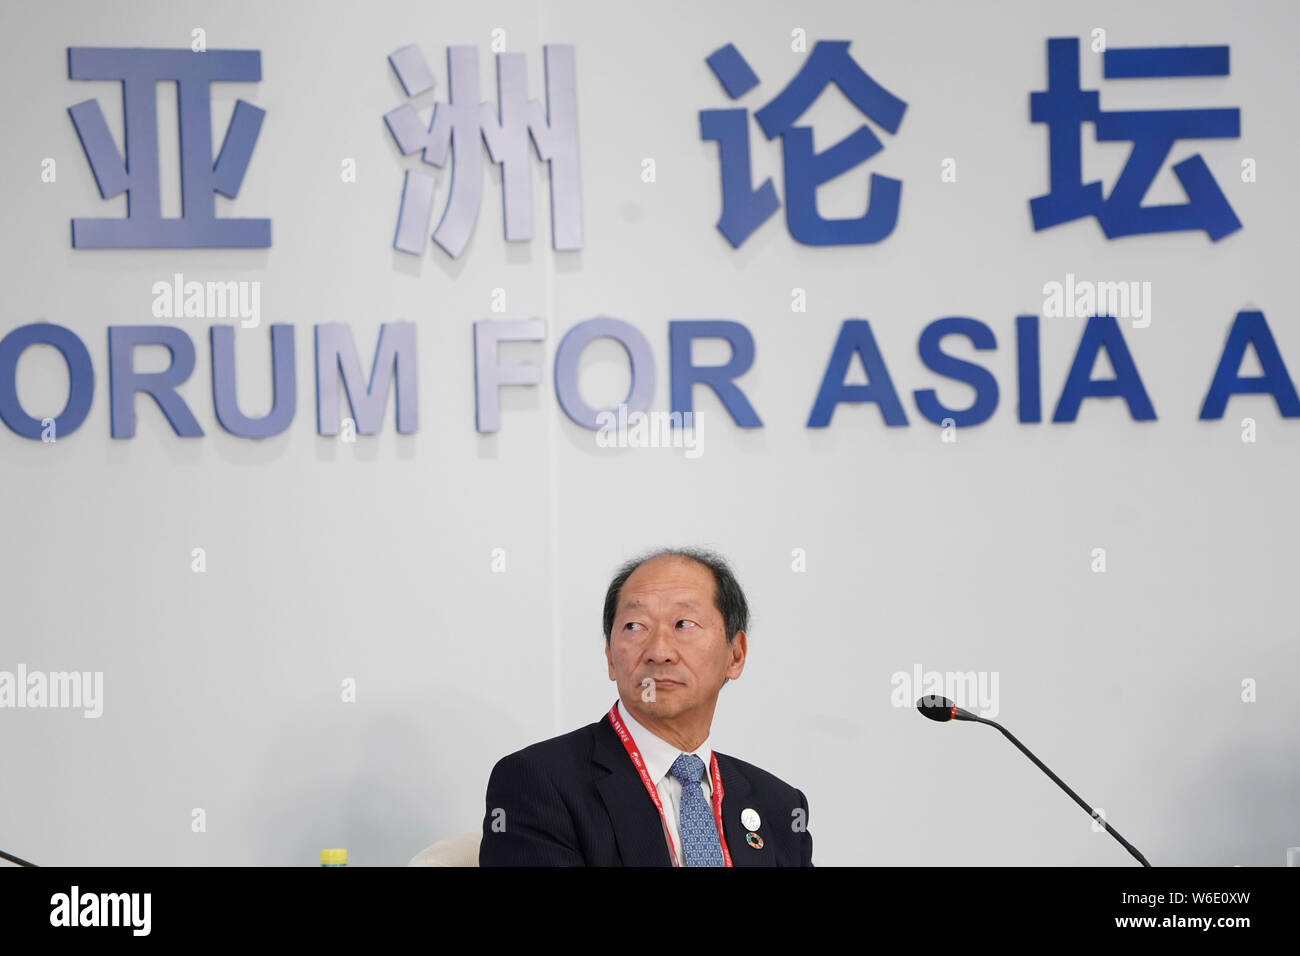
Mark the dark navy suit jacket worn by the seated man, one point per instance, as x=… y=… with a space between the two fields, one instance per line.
x=577 y=801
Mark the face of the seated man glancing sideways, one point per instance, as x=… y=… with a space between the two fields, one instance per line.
x=666 y=628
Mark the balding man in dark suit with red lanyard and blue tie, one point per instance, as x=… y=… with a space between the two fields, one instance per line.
x=642 y=786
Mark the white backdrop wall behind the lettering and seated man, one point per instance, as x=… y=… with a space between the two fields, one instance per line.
x=372 y=561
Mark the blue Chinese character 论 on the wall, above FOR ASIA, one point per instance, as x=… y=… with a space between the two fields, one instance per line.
x=805 y=170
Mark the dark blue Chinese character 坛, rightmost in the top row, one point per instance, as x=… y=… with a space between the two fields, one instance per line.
x=1064 y=107
